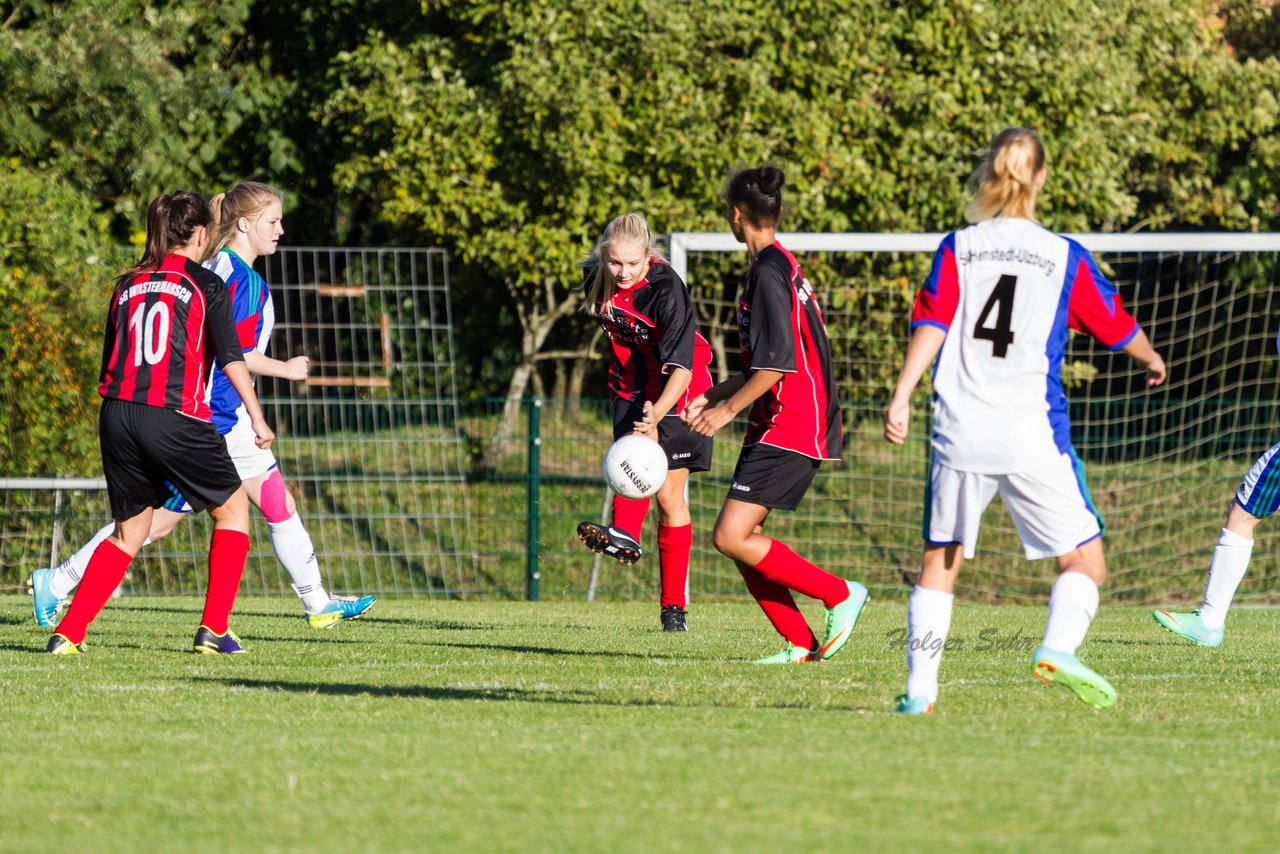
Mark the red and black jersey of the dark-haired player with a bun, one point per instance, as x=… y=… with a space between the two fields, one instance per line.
x=781 y=328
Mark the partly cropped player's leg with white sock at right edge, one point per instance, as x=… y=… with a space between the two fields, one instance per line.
x=1258 y=499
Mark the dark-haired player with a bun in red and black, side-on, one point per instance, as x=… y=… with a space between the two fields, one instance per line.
x=796 y=424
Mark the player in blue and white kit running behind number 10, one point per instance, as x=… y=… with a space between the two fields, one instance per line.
x=248 y=226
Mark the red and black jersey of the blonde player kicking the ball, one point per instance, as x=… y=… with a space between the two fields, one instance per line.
x=651 y=328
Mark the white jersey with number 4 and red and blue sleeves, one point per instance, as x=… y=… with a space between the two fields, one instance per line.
x=1007 y=291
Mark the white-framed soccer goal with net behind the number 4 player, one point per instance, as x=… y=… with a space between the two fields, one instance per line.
x=1163 y=464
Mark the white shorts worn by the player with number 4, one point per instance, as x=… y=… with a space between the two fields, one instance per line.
x=1050 y=506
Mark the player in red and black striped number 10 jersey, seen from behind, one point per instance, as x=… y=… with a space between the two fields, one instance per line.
x=168 y=318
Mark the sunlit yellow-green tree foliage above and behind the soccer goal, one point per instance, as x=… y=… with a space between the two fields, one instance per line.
x=511 y=133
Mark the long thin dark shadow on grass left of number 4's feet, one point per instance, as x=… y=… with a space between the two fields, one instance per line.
x=502 y=696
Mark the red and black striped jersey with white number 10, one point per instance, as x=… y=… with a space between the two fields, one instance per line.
x=163 y=331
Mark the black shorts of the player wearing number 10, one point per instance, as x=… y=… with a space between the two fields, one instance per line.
x=147 y=446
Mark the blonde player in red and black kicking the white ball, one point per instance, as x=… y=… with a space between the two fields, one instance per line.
x=660 y=364
